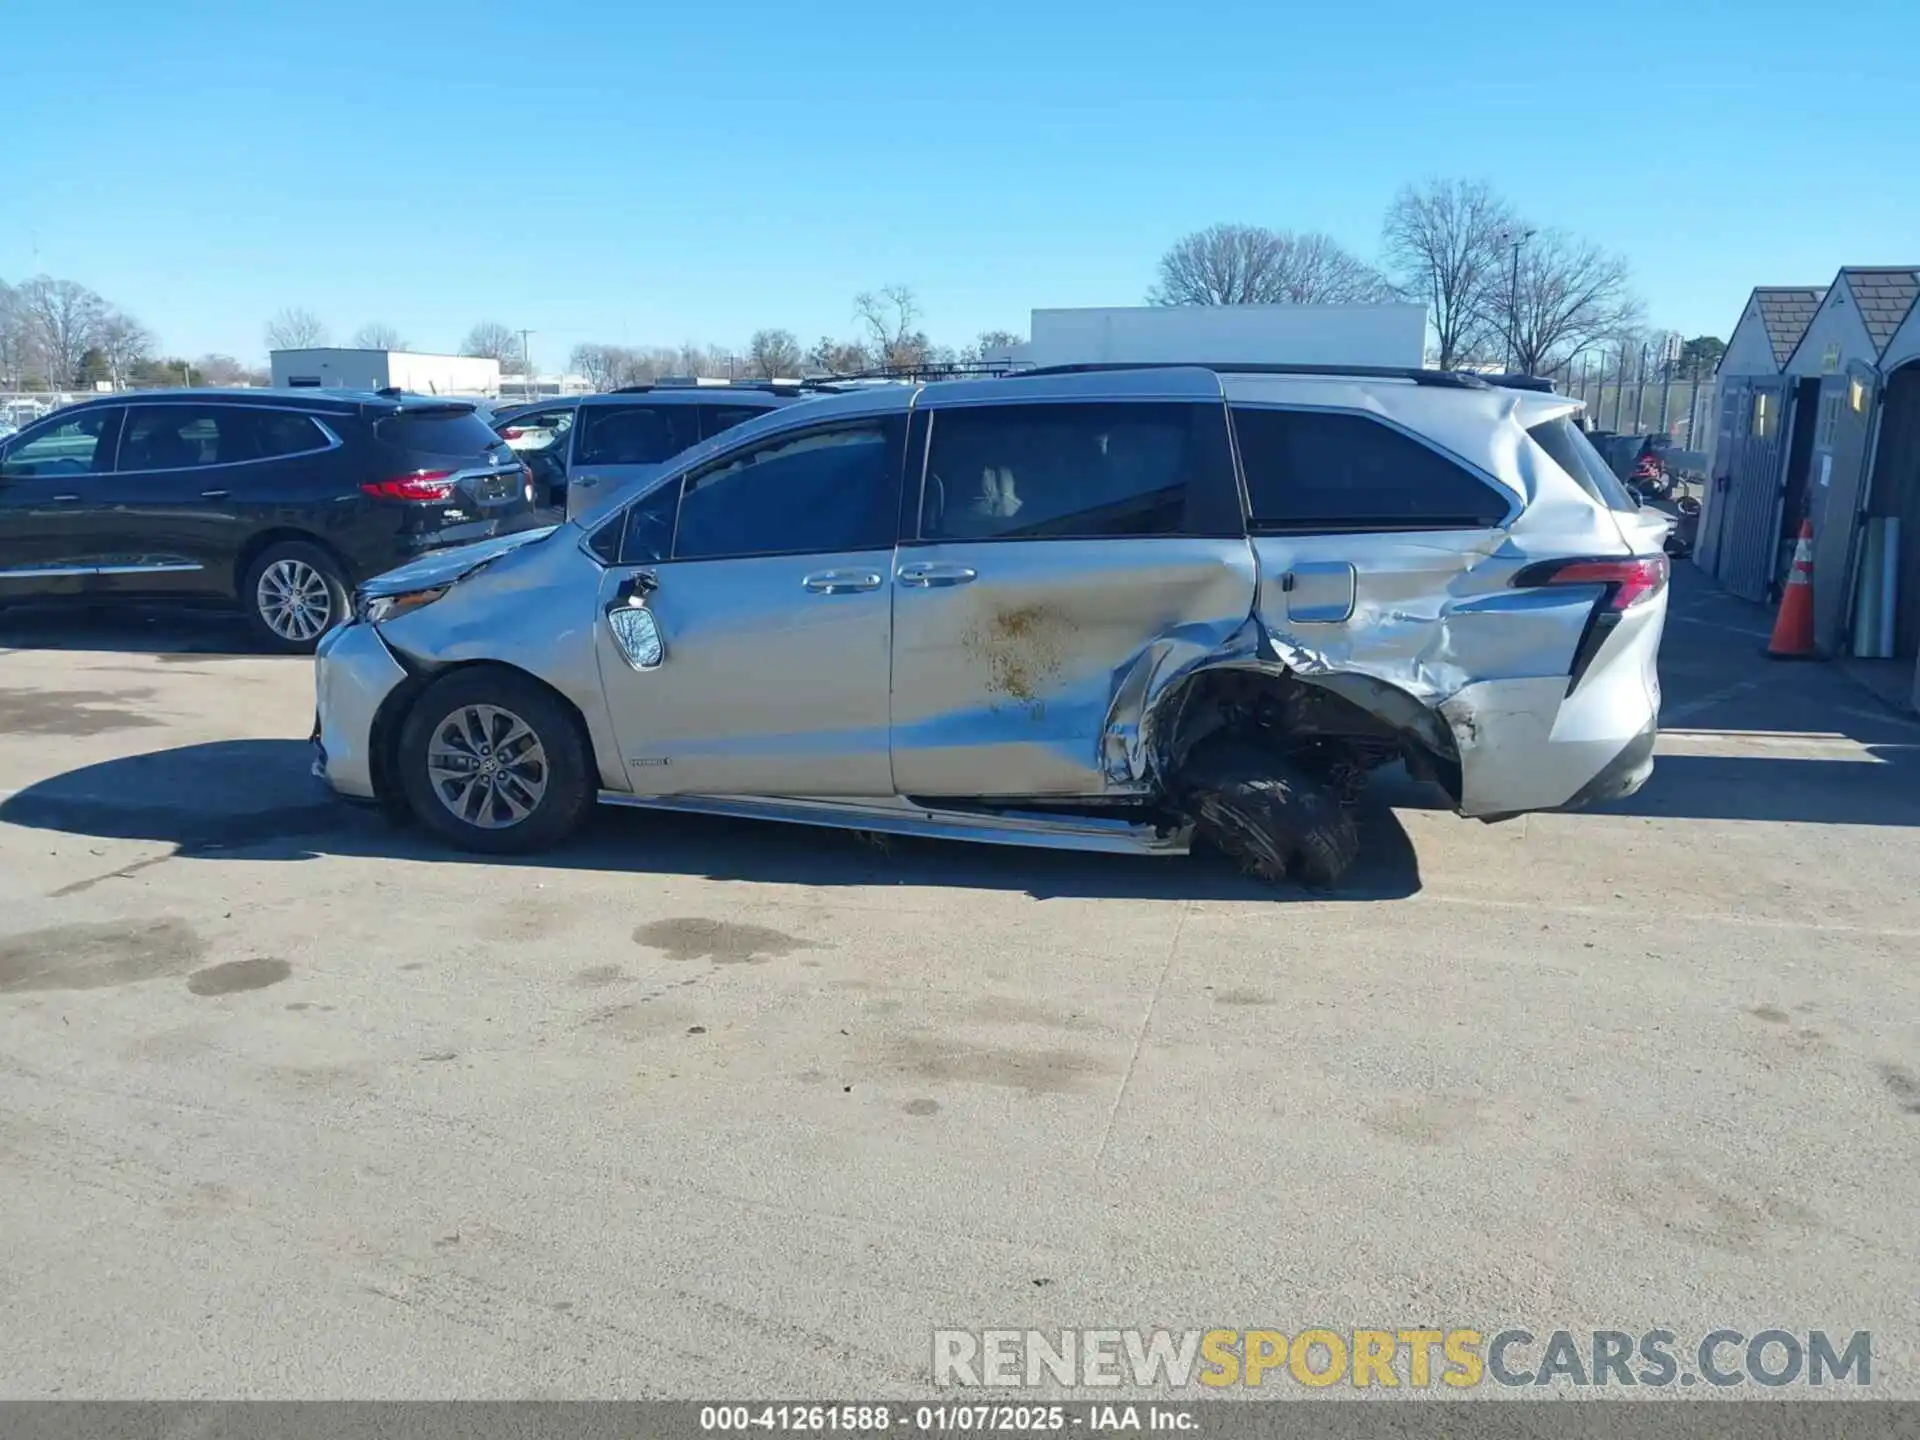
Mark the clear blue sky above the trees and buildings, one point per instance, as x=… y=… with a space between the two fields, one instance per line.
x=650 y=174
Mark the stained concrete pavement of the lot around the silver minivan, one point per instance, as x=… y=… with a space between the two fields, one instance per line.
x=293 y=1105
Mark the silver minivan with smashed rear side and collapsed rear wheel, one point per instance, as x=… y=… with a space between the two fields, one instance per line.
x=1103 y=608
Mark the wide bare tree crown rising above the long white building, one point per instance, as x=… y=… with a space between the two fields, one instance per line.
x=1255 y=266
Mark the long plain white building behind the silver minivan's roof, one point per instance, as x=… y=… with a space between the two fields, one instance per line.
x=1222 y=335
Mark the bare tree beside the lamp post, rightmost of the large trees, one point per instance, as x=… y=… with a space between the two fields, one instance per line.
x=1564 y=297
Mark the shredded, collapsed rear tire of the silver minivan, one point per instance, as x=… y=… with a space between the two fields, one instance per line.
x=1274 y=819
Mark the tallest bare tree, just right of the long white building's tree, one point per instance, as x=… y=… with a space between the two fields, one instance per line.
x=1447 y=243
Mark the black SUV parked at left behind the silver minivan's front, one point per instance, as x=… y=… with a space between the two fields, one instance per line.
x=279 y=500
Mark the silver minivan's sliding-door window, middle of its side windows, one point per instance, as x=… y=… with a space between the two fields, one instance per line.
x=1072 y=471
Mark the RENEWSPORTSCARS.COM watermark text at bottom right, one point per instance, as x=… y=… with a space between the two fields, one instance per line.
x=1399 y=1358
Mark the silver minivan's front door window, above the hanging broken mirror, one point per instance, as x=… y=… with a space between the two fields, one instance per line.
x=817 y=492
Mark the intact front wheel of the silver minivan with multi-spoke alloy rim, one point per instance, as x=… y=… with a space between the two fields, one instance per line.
x=494 y=763
